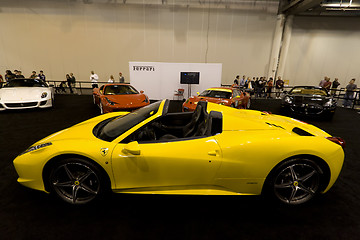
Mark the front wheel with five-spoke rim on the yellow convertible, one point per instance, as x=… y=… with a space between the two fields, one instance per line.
x=76 y=181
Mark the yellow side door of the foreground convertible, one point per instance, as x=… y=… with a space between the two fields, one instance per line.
x=180 y=164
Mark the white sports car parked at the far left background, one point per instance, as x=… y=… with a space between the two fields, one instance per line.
x=26 y=93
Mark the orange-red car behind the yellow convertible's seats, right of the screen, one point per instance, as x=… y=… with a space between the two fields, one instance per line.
x=232 y=97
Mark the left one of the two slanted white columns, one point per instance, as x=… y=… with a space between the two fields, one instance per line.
x=274 y=57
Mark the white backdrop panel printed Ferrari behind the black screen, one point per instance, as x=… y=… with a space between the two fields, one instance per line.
x=161 y=80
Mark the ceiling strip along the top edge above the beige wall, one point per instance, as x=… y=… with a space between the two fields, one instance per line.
x=349 y=8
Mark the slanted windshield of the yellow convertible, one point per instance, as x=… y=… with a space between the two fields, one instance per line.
x=115 y=127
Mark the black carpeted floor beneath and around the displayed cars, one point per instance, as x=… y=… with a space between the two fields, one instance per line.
x=29 y=214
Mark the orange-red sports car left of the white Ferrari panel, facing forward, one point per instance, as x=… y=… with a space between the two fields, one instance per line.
x=119 y=97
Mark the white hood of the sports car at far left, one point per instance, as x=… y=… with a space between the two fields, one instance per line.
x=22 y=93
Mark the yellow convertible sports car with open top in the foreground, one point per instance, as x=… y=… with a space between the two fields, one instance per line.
x=215 y=150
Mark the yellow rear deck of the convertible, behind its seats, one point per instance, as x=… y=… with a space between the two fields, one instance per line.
x=250 y=120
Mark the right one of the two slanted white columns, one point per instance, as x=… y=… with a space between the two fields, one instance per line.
x=285 y=46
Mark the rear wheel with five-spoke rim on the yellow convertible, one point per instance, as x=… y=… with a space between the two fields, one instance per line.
x=294 y=182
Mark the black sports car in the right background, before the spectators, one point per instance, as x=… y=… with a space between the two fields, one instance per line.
x=308 y=100
